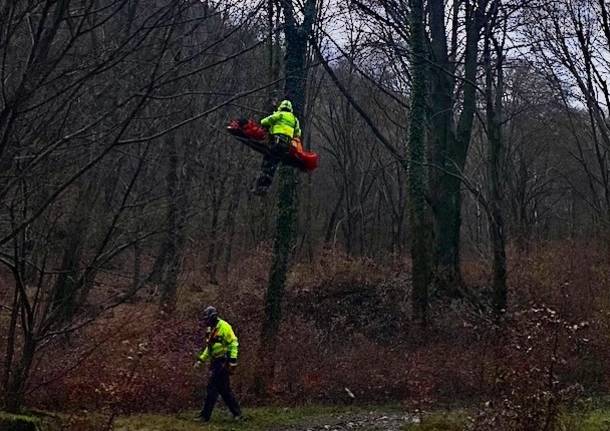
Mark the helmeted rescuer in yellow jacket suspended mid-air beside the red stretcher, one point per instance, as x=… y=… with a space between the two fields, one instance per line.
x=283 y=126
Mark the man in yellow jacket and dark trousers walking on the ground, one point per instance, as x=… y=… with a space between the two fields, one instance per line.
x=221 y=350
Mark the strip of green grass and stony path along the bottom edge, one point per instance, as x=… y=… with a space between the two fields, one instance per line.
x=311 y=418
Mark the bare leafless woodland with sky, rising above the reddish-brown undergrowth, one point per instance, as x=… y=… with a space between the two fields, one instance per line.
x=451 y=135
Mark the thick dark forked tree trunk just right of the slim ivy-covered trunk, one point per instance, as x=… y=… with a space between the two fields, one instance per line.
x=450 y=141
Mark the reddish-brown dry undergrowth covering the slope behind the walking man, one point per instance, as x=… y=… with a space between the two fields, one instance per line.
x=347 y=325
